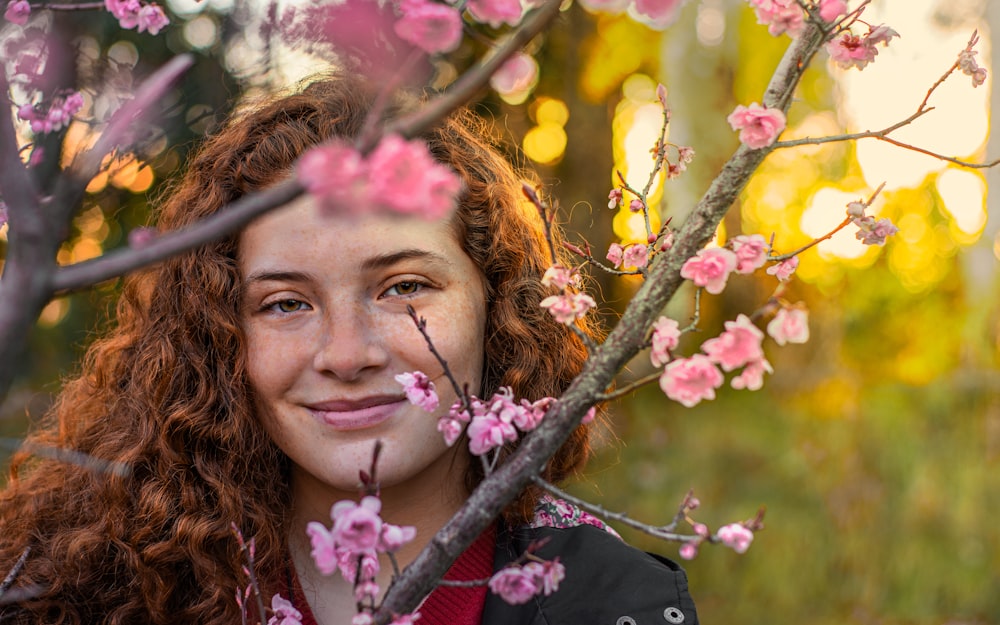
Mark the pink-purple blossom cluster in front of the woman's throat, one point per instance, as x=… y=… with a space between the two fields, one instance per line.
x=358 y=534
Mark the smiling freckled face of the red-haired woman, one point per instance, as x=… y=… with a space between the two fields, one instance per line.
x=324 y=310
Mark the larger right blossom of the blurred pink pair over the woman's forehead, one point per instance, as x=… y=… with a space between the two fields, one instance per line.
x=404 y=177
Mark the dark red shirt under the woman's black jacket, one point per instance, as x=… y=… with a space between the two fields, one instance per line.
x=447 y=605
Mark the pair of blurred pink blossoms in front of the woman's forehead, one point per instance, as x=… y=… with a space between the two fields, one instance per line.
x=399 y=176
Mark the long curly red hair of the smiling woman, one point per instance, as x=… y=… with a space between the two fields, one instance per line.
x=166 y=392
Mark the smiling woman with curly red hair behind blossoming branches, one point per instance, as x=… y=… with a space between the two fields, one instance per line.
x=246 y=384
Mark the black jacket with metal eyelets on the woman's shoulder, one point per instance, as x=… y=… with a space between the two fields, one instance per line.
x=608 y=582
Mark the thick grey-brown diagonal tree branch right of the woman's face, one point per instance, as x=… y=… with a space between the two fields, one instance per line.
x=490 y=497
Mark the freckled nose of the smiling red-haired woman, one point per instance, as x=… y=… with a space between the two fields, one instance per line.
x=350 y=344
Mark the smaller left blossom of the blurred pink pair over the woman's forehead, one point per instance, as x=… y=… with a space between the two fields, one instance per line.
x=337 y=175
